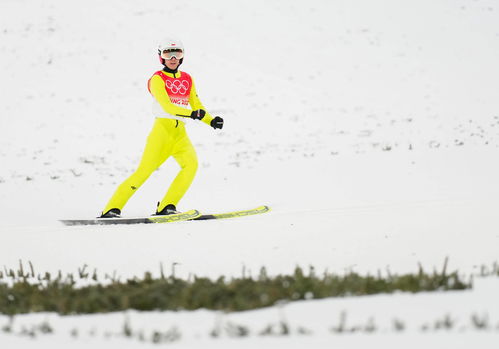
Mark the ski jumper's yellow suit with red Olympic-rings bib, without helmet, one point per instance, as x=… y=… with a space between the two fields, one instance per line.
x=172 y=95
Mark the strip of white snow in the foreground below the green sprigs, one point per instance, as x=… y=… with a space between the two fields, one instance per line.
x=429 y=320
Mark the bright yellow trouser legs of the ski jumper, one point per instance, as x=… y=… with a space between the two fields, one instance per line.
x=167 y=138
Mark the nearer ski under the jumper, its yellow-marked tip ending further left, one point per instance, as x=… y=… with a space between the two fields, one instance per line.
x=183 y=216
